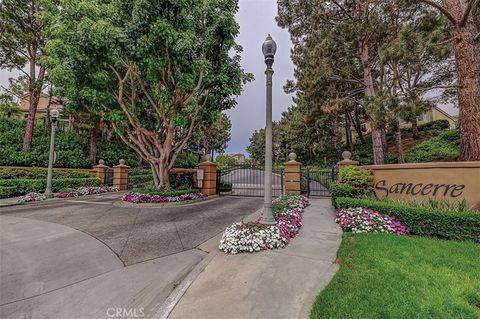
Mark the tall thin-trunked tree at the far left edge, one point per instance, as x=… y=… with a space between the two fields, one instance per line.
x=21 y=48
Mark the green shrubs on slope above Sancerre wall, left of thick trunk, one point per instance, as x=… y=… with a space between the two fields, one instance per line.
x=444 y=147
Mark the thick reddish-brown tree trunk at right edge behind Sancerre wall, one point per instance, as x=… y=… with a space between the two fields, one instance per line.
x=467 y=54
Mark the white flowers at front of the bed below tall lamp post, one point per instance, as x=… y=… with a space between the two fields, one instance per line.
x=242 y=237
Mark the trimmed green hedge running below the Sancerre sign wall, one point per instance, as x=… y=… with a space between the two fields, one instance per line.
x=423 y=221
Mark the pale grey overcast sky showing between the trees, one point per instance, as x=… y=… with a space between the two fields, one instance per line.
x=257 y=20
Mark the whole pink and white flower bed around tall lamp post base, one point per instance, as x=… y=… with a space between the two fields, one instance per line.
x=250 y=237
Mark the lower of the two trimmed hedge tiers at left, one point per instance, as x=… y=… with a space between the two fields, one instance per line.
x=24 y=186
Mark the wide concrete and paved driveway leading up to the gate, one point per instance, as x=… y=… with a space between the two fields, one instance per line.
x=87 y=257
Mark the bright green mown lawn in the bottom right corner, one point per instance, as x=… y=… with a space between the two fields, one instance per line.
x=386 y=276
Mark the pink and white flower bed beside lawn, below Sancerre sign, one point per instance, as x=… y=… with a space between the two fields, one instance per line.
x=364 y=220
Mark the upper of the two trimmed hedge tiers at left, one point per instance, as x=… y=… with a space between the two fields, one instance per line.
x=41 y=172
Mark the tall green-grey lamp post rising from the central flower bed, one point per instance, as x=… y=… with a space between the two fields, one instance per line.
x=269 y=48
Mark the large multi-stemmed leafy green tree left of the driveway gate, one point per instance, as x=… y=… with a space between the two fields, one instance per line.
x=154 y=69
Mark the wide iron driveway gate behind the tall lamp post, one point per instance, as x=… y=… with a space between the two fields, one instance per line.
x=247 y=180
